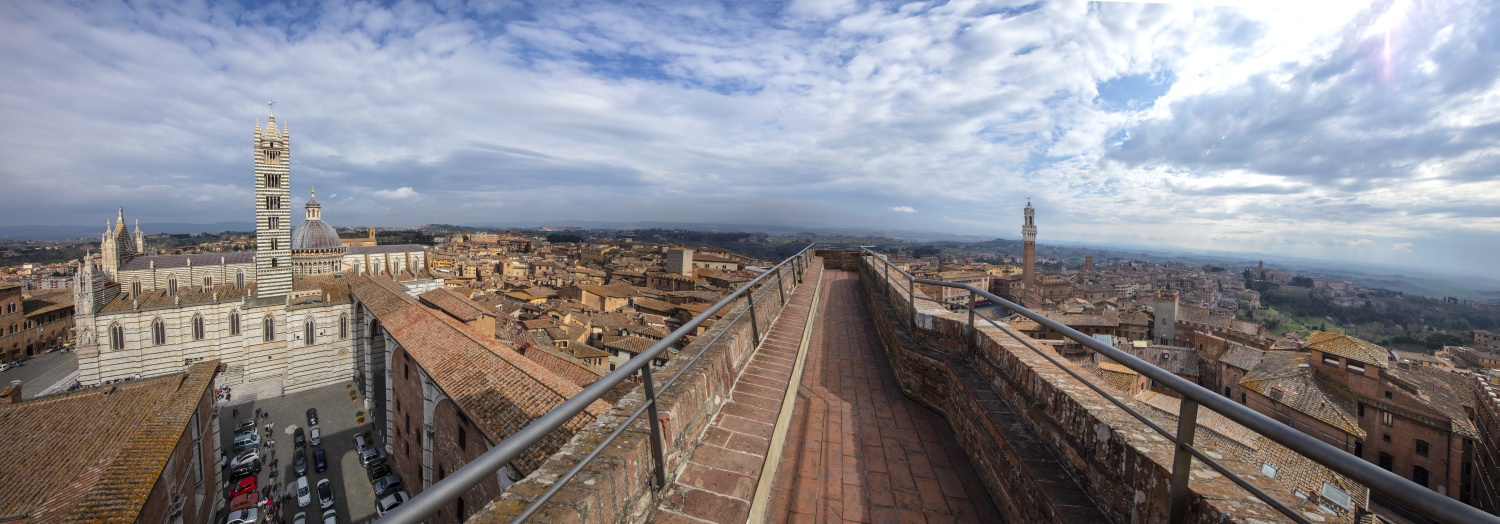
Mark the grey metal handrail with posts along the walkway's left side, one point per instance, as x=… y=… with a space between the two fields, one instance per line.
x=485 y=466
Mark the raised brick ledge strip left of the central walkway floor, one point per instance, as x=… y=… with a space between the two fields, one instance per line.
x=721 y=478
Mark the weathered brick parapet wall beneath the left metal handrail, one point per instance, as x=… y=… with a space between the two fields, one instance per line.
x=617 y=486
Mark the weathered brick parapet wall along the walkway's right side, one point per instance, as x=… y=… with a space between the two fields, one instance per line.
x=1118 y=462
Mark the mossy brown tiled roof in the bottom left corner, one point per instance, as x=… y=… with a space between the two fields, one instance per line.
x=95 y=456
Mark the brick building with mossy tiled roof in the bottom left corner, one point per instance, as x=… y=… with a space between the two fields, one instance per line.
x=139 y=451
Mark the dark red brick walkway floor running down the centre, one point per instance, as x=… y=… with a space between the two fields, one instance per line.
x=859 y=450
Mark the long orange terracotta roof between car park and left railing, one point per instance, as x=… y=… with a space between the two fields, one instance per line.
x=497 y=388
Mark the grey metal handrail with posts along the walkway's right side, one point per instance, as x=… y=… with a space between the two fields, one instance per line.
x=1397 y=489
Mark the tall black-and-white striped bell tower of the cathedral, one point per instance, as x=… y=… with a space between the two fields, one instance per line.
x=272 y=211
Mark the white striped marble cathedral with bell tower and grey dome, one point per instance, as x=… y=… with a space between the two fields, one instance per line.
x=278 y=313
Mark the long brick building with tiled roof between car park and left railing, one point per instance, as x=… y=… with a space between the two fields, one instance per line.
x=451 y=393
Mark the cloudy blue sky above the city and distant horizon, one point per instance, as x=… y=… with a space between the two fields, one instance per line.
x=1330 y=130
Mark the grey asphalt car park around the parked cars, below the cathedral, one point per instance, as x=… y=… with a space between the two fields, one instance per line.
x=353 y=498
